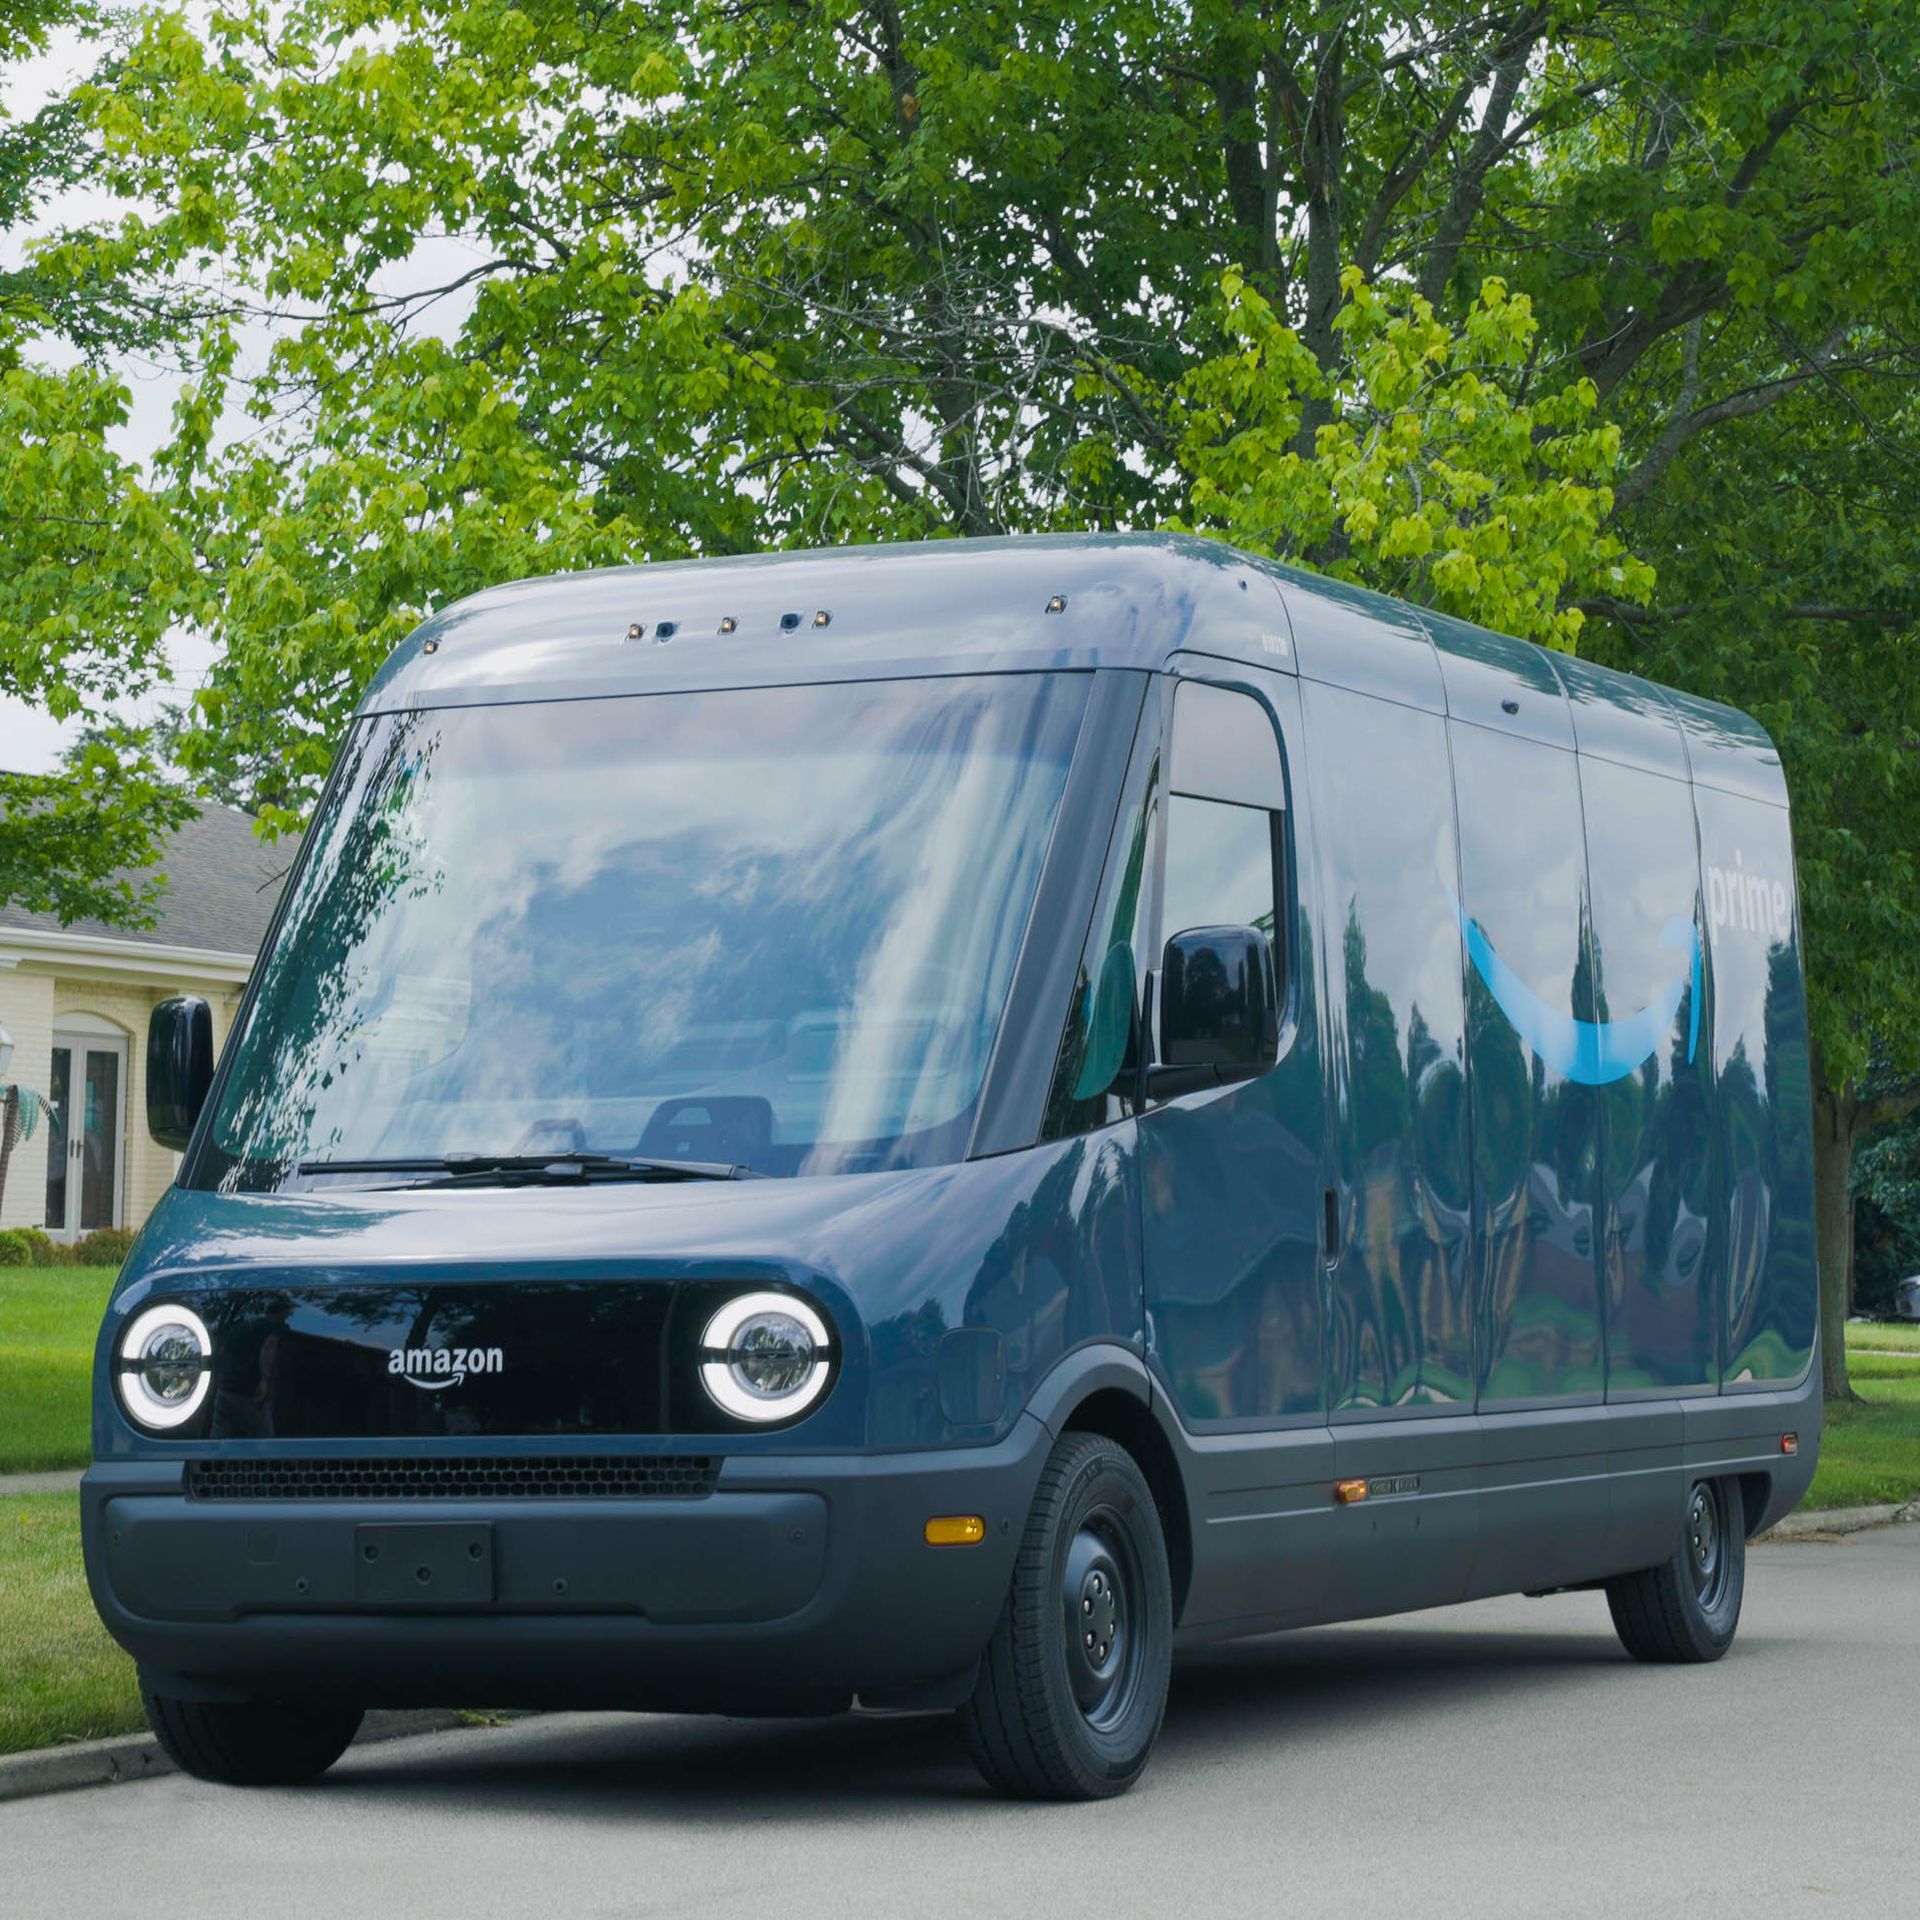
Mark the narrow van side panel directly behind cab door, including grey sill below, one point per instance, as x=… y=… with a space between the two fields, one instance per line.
x=1401 y=1310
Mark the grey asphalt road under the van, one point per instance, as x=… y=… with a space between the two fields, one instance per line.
x=1491 y=1760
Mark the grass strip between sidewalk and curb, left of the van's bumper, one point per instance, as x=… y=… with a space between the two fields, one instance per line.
x=64 y=1679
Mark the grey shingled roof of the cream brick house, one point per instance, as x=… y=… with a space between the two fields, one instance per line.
x=222 y=888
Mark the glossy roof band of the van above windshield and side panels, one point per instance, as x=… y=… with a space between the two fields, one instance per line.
x=1040 y=602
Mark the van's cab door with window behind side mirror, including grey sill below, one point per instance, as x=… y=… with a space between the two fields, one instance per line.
x=1232 y=1176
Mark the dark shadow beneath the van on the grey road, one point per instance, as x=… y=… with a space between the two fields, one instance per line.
x=1262 y=1700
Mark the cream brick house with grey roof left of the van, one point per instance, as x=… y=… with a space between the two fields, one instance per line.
x=76 y=1003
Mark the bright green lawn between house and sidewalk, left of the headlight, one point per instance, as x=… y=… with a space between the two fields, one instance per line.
x=49 y=1318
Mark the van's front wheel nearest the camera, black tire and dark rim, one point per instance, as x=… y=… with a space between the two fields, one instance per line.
x=1072 y=1712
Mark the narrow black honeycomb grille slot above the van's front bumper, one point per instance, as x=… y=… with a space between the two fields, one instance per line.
x=533 y=1477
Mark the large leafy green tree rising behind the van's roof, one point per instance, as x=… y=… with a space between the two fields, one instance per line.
x=1489 y=302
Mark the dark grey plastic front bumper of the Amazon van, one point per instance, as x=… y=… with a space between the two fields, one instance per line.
x=796 y=1585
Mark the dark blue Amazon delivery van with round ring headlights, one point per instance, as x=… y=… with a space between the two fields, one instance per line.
x=924 y=1126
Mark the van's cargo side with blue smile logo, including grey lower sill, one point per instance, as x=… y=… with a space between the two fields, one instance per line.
x=1568 y=1138
